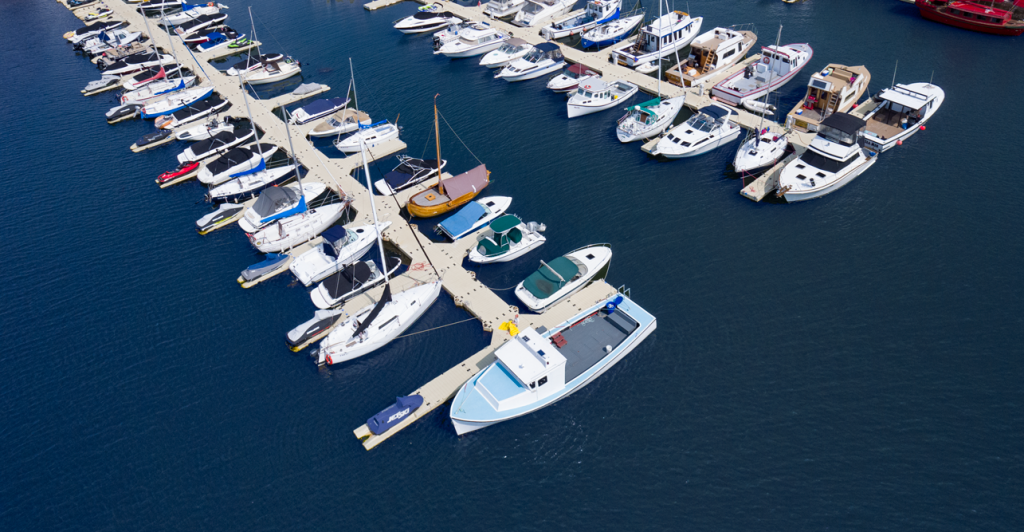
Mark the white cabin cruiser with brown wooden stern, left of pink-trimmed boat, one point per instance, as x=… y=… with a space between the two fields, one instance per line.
x=712 y=53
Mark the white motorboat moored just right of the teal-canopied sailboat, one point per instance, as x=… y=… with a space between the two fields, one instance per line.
x=709 y=128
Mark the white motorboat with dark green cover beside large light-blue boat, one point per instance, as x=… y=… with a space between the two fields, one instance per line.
x=563 y=277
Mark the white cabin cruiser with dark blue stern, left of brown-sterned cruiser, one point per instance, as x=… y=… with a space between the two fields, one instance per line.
x=659 y=39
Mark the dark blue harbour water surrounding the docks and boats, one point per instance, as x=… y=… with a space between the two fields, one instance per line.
x=850 y=364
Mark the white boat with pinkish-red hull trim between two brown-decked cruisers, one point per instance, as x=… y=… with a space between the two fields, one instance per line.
x=779 y=65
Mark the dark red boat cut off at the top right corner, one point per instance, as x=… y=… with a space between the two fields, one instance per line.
x=976 y=17
